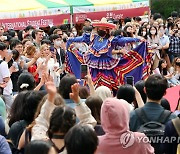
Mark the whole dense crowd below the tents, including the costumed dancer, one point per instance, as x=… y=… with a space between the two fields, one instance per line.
x=45 y=108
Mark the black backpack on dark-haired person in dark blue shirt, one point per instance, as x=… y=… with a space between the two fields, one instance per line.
x=154 y=130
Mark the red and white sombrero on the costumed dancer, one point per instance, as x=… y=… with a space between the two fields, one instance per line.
x=104 y=23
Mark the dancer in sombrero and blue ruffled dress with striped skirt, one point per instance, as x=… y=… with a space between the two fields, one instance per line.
x=105 y=69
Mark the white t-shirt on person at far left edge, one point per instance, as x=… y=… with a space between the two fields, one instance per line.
x=4 y=73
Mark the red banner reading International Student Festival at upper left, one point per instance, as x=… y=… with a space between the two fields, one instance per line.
x=41 y=21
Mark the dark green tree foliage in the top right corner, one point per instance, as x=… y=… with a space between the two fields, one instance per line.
x=165 y=7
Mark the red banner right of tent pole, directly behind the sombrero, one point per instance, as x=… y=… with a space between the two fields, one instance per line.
x=115 y=14
